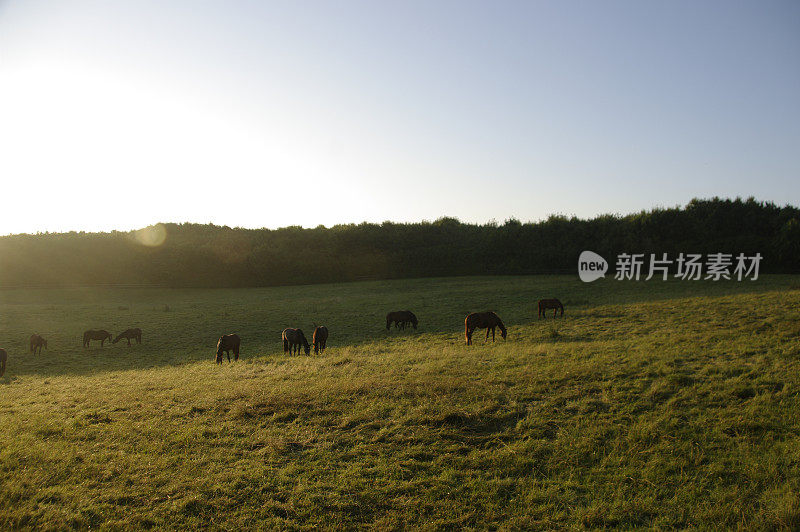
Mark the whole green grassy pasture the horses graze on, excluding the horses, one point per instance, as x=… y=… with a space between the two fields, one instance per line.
x=659 y=404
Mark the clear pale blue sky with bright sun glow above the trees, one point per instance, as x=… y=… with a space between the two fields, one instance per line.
x=117 y=115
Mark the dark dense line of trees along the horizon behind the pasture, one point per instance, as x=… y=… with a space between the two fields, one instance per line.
x=198 y=255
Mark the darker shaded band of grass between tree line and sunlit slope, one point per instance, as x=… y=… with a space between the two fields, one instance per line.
x=354 y=312
